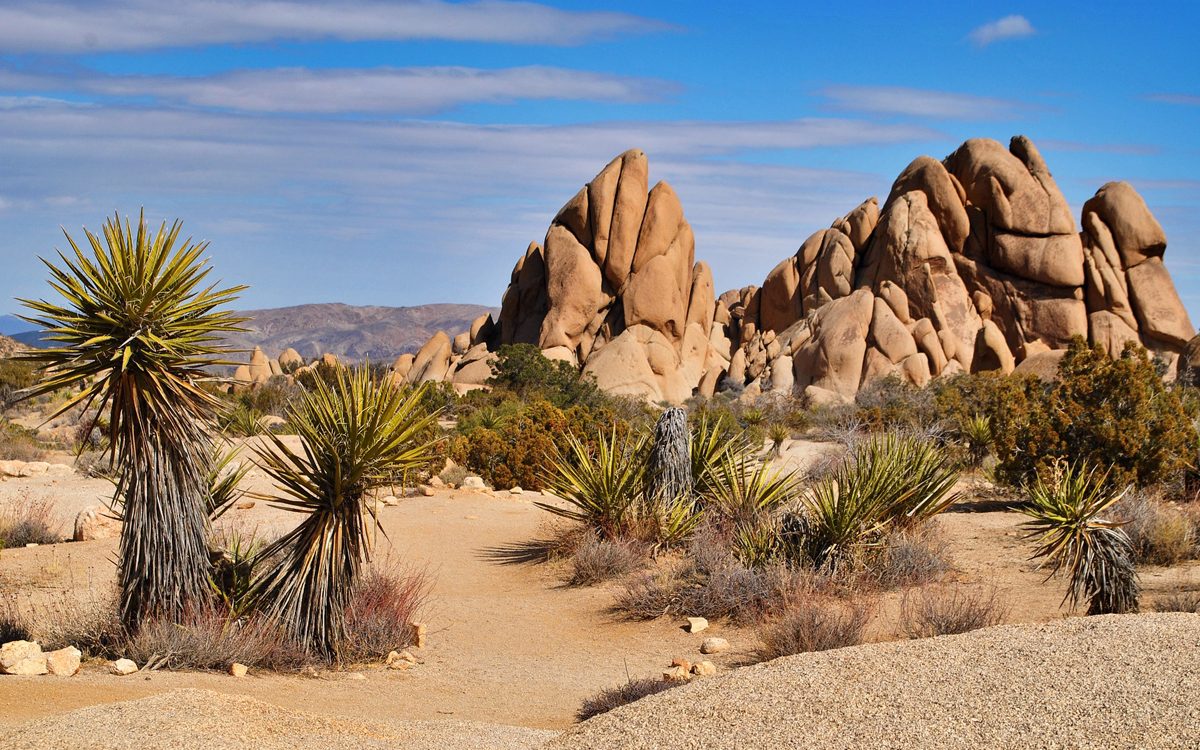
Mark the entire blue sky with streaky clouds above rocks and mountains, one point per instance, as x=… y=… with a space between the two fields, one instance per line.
x=406 y=153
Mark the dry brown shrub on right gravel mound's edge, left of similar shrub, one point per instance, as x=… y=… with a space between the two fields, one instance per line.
x=815 y=625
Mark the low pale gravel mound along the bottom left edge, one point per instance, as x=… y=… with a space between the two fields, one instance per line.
x=217 y=722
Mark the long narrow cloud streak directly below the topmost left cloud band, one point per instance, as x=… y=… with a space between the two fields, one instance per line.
x=413 y=91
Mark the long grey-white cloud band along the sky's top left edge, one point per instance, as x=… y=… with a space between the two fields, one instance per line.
x=70 y=27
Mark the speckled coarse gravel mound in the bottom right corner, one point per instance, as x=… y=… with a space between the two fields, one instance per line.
x=1101 y=682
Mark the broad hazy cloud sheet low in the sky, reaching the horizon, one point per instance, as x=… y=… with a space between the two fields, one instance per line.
x=409 y=212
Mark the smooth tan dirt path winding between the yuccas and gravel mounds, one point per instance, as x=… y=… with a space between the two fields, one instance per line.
x=508 y=645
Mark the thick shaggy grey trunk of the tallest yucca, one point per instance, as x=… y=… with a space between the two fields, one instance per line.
x=165 y=565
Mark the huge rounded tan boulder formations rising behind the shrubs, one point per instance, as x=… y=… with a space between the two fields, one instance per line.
x=973 y=263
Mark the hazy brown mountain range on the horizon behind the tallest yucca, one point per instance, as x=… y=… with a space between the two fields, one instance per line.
x=350 y=332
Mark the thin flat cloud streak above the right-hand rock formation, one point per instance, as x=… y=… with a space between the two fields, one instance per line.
x=920 y=103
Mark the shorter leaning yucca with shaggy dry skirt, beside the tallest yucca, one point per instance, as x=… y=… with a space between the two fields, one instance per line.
x=356 y=436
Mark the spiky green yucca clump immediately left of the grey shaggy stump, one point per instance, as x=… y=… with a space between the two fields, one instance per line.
x=607 y=490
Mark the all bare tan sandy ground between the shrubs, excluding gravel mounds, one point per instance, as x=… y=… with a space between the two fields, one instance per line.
x=509 y=644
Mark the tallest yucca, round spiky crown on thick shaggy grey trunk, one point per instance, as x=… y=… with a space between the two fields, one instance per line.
x=139 y=326
